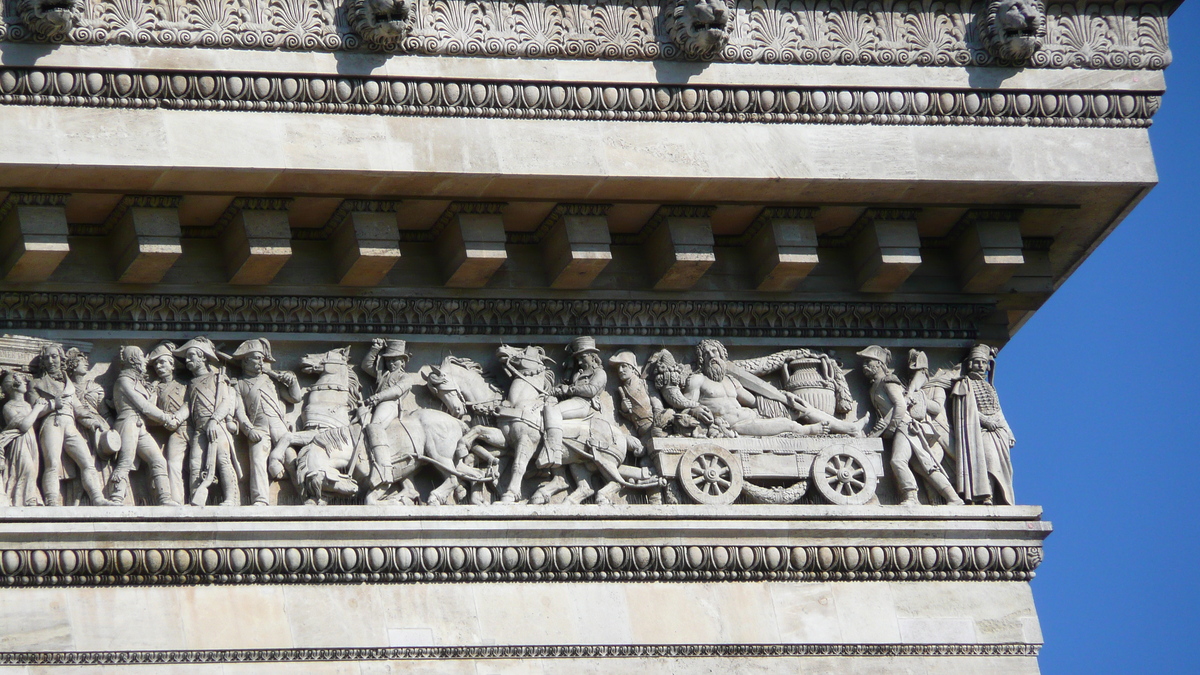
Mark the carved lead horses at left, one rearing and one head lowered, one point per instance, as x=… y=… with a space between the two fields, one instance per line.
x=334 y=457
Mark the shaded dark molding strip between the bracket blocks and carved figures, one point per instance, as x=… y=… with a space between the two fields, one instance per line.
x=189 y=314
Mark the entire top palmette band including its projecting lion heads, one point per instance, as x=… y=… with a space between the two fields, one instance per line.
x=1102 y=35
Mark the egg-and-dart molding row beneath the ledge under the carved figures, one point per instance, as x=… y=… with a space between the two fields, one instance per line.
x=467 y=564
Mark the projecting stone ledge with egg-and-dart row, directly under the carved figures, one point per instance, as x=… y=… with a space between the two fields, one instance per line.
x=166 y=546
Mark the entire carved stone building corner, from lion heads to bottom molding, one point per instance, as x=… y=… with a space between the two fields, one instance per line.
x=663 y=338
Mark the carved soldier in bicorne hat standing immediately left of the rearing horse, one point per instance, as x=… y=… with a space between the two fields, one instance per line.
x=261 y=415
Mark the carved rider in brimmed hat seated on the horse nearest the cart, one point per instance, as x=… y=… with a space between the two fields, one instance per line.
x=577 y=401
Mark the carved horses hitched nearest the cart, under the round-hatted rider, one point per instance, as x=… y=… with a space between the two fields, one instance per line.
x=517 y=423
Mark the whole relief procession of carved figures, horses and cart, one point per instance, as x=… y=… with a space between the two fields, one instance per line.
x=580 y=425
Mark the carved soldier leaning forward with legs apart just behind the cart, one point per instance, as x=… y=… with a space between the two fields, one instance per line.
x=910 y=443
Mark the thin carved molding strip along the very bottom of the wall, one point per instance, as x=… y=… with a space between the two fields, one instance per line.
x=147 y=658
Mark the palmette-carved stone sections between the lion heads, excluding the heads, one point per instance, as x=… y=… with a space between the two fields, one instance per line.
x=1107 y=34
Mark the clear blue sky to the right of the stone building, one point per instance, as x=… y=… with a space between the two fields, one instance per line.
x=1103 y=392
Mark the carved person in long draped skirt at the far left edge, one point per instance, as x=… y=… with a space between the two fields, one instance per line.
x=19 y=443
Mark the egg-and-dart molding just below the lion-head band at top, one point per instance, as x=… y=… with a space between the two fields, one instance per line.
x=571 y=101
